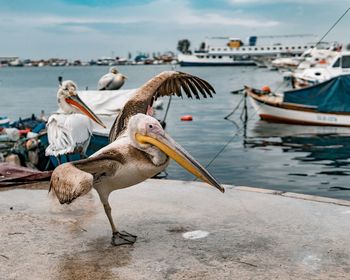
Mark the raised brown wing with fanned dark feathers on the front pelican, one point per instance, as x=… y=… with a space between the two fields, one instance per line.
x=165 y=84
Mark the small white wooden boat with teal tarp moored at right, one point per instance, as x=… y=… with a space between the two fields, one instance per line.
x=326 y=103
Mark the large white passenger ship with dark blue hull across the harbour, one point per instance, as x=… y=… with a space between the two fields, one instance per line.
x=222 y=51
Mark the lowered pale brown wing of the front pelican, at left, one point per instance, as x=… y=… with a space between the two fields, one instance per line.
x=73 y=179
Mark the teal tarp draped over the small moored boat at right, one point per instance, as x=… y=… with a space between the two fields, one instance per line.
x=330 y=96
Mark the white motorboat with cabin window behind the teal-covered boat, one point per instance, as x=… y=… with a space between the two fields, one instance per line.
x=340 y=65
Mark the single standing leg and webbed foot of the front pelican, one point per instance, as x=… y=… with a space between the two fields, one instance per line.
x=118 y=238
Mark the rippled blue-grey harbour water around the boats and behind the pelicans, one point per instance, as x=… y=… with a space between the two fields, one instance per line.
x=305 y=159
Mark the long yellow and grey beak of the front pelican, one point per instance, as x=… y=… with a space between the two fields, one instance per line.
x=168 y=146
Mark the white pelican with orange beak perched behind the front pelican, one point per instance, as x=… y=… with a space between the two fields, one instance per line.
x=70 y=130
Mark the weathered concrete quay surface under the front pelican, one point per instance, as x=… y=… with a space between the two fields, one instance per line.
x=252 y=235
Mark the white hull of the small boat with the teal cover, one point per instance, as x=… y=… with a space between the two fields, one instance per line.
x=303 y=116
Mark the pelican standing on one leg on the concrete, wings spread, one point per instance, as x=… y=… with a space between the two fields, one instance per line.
x=139 y=149
